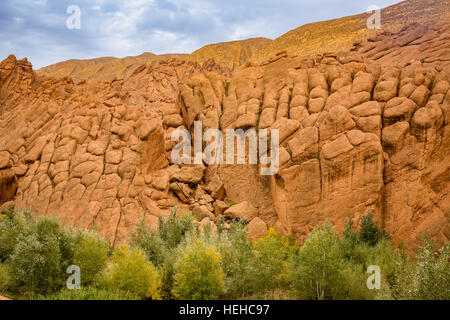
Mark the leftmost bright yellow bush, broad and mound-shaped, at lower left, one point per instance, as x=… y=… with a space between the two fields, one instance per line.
x=131 y=272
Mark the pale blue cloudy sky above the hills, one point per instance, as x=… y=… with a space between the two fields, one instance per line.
x=37 y=29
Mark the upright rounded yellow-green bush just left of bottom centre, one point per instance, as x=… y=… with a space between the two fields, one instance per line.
x=198 y=275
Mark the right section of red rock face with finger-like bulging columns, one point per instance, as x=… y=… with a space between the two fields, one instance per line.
x=355 y=133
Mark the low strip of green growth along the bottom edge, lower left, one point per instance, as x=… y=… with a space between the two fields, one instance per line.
x=88 y=293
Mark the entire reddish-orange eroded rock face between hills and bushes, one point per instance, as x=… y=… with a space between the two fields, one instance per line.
x=357 y=131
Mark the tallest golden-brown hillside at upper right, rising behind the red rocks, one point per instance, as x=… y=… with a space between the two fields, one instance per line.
x=340 y=34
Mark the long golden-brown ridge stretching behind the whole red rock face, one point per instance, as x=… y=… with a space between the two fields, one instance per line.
x=310 y=39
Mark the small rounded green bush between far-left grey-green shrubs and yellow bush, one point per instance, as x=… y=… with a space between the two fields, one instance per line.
x=91 y=255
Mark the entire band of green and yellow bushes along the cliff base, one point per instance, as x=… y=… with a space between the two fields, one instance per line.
x=183 y=259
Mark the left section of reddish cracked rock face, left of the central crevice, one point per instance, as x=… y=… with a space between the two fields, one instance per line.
x=93 y=152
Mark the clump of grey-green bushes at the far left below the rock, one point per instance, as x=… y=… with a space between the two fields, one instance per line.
x=37 y=252
